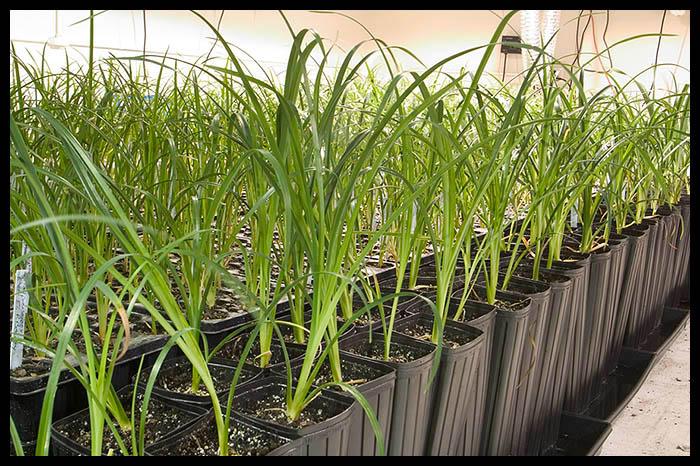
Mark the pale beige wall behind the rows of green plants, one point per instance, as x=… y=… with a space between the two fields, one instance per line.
x=429 y=34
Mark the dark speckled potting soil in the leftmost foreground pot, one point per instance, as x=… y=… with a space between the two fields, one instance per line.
x=161 y=420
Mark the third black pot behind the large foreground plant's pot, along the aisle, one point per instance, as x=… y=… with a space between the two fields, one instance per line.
x=454 y=383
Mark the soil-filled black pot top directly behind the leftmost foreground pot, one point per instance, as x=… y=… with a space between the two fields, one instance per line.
x=221 y=369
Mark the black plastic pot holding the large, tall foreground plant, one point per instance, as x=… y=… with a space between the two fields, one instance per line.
x=326 y=438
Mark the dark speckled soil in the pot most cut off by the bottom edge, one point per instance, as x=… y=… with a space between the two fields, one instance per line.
x=242 y=441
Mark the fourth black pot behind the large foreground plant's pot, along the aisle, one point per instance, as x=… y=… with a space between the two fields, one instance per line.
x=509 y=338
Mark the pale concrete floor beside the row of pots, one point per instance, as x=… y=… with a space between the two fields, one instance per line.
x=656 y=422
